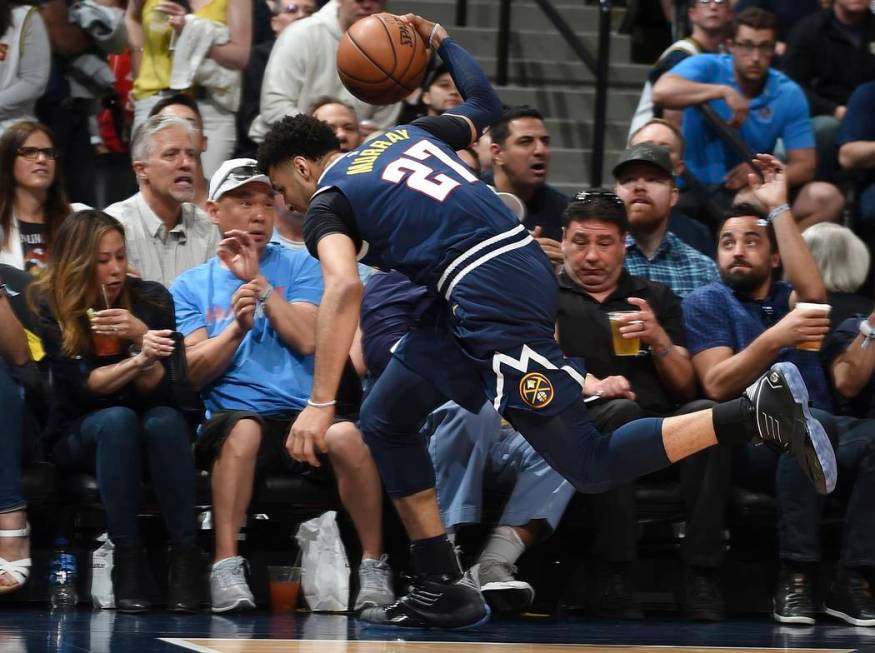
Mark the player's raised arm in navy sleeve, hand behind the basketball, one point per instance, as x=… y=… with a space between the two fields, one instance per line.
x=482 y=106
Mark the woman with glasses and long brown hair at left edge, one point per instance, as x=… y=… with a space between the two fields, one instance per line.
x=32 y=199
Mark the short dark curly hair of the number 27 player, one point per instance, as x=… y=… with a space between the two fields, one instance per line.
x=298 y=135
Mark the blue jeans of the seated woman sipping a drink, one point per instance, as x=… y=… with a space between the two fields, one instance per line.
x=111 y=442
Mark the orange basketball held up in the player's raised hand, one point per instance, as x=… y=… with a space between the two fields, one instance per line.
x=381 y=59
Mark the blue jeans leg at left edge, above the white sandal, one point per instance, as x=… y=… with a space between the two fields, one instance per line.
x=11 y=433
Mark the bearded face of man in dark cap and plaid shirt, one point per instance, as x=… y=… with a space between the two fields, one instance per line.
x=648 y=194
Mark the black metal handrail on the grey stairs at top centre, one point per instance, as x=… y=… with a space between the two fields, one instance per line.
x=598 y=65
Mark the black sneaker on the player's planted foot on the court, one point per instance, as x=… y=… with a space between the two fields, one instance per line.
x=434 y=603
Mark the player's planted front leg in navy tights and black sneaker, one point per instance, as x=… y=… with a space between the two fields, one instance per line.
x=441 y=596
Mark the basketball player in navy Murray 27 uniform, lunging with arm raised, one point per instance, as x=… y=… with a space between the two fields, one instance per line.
x=404 y=201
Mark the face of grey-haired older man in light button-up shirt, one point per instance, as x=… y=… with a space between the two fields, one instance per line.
x=169 y=171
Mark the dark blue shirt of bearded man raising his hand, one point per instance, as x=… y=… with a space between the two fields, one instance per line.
x=716 y=316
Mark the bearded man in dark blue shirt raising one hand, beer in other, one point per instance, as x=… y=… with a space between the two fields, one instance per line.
x=737 y=327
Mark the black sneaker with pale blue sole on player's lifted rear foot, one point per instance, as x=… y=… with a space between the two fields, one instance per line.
x=779 y=401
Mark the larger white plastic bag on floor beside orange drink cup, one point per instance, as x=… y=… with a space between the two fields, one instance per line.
x=324 y=566
